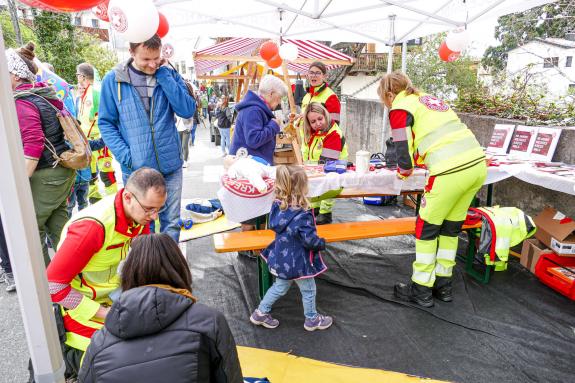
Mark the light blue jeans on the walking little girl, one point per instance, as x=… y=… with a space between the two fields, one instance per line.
x=281 y=287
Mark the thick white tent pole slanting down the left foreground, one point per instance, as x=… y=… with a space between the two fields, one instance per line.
x=23 y=241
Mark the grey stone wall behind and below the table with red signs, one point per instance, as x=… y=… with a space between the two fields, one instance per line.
x=364 y=130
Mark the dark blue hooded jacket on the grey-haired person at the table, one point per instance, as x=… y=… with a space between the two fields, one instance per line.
x=255 y=130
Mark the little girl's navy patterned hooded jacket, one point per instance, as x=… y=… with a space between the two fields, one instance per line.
x=294 y=254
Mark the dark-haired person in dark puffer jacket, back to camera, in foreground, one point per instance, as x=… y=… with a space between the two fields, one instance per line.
x=155 y=331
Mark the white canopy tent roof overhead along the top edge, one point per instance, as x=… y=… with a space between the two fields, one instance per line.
x=369 y=21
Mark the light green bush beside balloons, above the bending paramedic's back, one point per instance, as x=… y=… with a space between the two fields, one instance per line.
x=445 y=80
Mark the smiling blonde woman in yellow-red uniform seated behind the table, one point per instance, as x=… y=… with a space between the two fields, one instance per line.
x=322 y=141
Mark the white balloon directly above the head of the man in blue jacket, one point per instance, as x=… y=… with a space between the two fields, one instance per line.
x=135 y=21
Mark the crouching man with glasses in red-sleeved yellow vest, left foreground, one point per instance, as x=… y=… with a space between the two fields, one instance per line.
x=83 y=276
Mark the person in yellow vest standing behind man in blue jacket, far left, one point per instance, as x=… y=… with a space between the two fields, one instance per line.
x=88 y=116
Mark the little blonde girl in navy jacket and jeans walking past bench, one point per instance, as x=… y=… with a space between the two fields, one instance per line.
x=294 y=254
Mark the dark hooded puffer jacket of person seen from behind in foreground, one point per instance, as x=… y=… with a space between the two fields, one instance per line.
x=155 y=335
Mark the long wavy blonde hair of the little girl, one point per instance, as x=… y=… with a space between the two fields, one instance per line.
x=291 y=187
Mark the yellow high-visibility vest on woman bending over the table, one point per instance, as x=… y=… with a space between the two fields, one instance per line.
x=437 y=137
